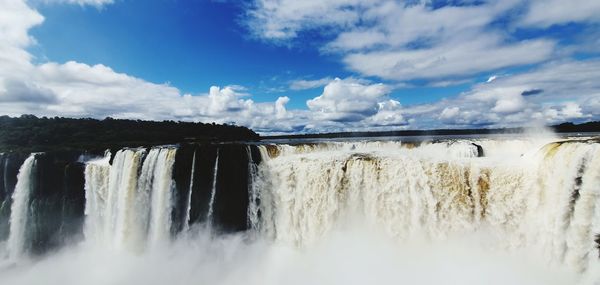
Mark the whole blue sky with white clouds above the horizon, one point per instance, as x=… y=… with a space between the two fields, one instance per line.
x=287 y=66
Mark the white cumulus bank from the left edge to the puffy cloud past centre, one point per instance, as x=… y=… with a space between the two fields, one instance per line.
x=77 y=89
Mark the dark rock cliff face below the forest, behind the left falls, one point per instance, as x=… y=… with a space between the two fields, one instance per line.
x=207 y=184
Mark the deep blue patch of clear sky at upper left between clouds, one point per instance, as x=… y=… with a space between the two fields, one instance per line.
x=191 y=44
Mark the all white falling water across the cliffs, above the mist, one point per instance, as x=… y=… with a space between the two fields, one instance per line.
x=538 y=195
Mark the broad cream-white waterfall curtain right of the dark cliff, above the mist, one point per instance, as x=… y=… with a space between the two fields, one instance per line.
x=545 y=197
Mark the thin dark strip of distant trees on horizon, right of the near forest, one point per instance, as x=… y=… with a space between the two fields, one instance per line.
x=562 y=128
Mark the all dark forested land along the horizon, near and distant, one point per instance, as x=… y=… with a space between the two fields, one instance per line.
x=29 y=133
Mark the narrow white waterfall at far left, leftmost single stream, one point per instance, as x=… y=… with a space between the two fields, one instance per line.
x=17 y=238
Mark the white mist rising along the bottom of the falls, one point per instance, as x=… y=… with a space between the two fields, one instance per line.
x=360 y=255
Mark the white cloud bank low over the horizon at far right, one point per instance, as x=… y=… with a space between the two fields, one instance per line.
x=552 y=93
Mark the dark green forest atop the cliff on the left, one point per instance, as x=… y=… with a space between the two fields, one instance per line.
x=29 y=133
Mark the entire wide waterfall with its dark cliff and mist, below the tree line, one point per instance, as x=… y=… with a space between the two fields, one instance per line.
x=452 y=211
